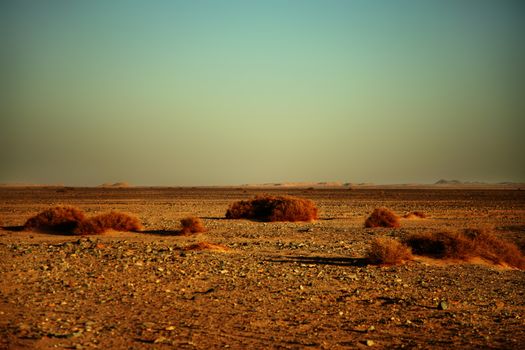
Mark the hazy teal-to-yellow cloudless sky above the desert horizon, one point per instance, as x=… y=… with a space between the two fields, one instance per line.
x=231 y=92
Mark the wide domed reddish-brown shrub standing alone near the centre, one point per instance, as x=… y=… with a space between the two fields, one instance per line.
x=273 y=208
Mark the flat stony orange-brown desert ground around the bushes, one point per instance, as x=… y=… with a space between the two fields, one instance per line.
x=278 y=285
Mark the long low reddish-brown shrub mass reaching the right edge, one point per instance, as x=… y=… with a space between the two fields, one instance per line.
x=466 y=245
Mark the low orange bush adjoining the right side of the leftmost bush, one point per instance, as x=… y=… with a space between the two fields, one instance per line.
x=109 y=221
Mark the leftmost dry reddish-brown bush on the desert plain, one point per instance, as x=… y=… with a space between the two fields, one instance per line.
x=63 y=219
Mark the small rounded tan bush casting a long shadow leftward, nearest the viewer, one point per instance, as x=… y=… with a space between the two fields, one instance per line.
x=388 y=251
